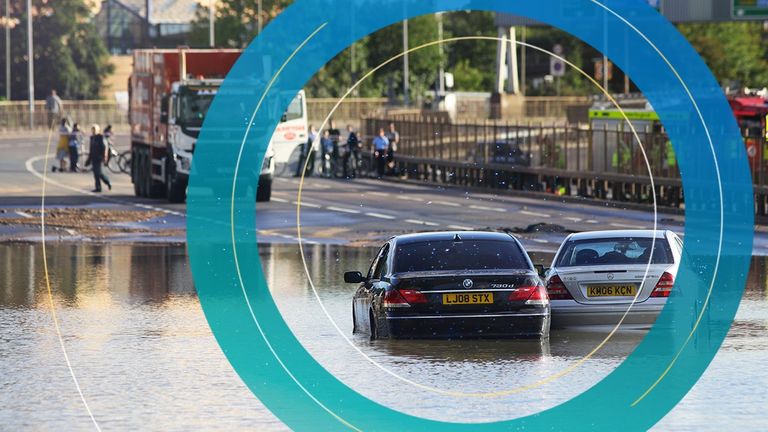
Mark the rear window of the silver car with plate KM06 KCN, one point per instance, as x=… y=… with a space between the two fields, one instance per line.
x=613 y=251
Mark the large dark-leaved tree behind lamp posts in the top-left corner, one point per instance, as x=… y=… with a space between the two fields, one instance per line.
x=69 y=56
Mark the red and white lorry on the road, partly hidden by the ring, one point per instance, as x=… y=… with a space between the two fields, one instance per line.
x=169 y=94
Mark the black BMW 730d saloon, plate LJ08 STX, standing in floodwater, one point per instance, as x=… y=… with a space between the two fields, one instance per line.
x=451 y=285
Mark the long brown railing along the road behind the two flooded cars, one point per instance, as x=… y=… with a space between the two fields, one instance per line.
x=560 y=158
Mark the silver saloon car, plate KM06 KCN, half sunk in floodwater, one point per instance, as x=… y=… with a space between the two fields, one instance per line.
x=596 y=277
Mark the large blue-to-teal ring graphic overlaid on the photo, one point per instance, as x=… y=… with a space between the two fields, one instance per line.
x=222 y=238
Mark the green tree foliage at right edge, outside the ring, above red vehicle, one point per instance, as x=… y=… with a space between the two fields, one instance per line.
x=734 y=51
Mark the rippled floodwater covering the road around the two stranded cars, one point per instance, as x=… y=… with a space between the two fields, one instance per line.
x=145 y=358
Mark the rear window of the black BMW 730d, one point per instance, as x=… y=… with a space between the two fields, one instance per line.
x=464 y=255
